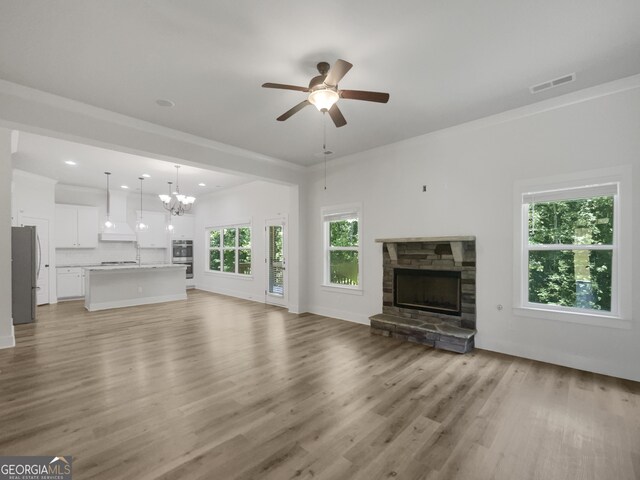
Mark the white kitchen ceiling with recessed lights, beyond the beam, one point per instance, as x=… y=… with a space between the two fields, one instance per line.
x=47 y=156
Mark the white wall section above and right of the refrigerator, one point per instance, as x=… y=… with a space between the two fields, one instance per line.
x=33 y=196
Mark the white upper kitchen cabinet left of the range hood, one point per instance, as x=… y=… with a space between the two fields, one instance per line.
x=76 y=226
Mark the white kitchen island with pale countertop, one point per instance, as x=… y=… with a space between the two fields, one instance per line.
x=116 y=286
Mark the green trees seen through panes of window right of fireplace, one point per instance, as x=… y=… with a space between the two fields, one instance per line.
x=570 y=253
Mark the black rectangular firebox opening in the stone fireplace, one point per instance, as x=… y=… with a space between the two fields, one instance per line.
x=437 y=291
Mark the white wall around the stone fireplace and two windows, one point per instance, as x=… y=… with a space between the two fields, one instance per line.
x=470 y=172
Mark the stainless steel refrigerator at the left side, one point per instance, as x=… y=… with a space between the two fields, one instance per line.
x=23 y=274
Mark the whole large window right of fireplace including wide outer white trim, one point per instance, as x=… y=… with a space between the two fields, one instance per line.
x=572 y=255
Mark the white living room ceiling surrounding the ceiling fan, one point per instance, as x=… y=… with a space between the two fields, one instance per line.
x=443 y=63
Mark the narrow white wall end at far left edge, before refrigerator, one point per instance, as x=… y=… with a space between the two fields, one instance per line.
x=6 y=322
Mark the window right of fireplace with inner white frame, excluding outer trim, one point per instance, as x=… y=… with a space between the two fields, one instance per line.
x=570 y=249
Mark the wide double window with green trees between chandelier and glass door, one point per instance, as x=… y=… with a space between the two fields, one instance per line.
x=230 y=249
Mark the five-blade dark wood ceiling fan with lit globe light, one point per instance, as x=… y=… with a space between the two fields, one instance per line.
x=323 y=92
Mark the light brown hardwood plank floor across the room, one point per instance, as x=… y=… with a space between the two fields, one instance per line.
x=219 y=388
